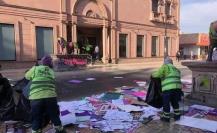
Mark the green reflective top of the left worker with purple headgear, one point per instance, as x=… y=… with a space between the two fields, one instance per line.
x=43 y=84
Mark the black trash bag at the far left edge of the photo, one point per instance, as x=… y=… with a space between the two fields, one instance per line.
x=7 y=104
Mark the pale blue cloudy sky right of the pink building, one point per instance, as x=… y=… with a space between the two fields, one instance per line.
x=196 y=15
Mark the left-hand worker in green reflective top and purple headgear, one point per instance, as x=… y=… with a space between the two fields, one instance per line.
x=43 y=95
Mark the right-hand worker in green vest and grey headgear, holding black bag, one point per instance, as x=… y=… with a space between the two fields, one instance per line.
x=171 y=88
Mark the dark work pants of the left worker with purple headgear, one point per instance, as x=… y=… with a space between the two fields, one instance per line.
x=41 y=106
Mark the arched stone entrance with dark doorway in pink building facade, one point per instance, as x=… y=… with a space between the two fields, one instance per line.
x=90 y=25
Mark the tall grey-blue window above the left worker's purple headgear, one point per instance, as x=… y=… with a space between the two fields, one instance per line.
x=44 y=41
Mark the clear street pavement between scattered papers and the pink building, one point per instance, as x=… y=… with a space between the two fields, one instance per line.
x=104 y=76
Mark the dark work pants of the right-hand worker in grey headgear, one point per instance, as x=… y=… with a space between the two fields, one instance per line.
x=171 y=97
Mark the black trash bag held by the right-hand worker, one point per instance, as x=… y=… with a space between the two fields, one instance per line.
x=154 y=94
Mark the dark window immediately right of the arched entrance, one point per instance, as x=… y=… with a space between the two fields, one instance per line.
x=123 y=45
